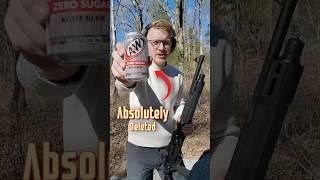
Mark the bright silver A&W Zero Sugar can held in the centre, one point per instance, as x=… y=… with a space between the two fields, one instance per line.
x=136 y=57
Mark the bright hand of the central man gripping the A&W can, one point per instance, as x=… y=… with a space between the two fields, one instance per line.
x=119 y=64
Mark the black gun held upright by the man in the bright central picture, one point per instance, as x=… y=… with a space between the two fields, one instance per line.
x=172 y=157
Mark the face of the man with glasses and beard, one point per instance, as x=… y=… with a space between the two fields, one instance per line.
x=159 y=45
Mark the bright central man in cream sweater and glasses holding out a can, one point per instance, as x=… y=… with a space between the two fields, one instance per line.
x=145 y=148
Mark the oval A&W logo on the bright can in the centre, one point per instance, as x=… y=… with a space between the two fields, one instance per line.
x=134 y=48
